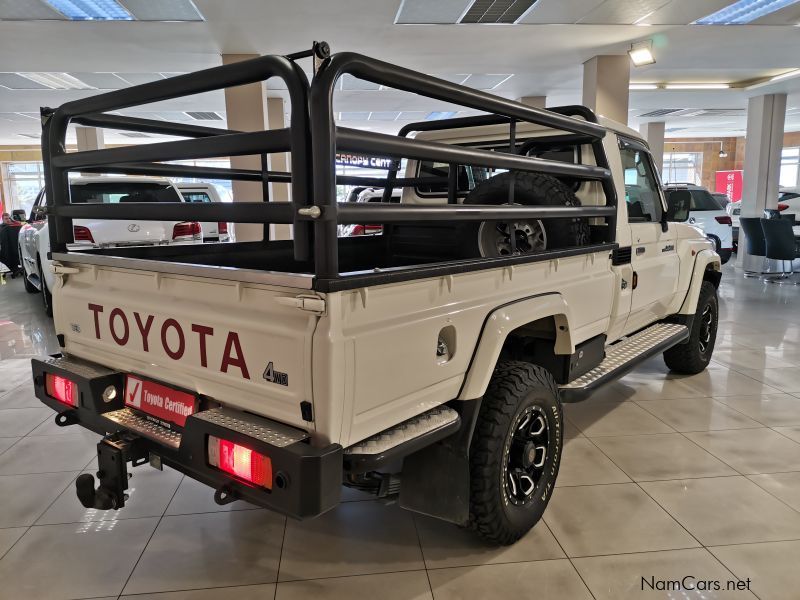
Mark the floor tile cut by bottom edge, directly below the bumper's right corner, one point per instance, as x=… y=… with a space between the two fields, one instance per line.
x=411 y=585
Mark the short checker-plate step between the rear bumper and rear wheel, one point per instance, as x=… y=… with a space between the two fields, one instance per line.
x=401 y=440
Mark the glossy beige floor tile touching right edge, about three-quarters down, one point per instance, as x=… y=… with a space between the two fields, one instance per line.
x=749 y=451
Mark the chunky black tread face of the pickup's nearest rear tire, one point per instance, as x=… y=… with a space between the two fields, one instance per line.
x=510 y=382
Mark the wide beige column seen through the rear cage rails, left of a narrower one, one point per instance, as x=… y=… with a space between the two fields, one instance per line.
x=244 y=106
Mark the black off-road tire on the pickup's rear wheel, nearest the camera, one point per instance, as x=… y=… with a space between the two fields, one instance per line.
x=516 y=389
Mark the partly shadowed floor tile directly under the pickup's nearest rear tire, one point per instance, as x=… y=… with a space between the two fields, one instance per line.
x=446 y=545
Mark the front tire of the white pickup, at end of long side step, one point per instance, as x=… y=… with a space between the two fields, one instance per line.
x=693 y=355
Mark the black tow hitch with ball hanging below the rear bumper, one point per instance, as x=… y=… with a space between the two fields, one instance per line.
x=113 y=453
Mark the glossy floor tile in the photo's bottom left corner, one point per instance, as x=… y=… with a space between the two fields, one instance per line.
x=39 y=565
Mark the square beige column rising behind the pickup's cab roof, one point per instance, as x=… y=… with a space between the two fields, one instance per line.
x=605 y=86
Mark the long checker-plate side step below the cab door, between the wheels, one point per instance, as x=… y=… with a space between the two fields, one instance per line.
x=623 y=355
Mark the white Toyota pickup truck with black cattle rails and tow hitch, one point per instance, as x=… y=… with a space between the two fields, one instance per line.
x=428 y=363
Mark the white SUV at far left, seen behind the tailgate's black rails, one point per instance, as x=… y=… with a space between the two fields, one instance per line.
x=34 y=238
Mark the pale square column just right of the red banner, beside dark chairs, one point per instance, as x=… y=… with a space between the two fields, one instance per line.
x=762 y=159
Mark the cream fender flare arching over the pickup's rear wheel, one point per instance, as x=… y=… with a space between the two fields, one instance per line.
x=500 y=323
